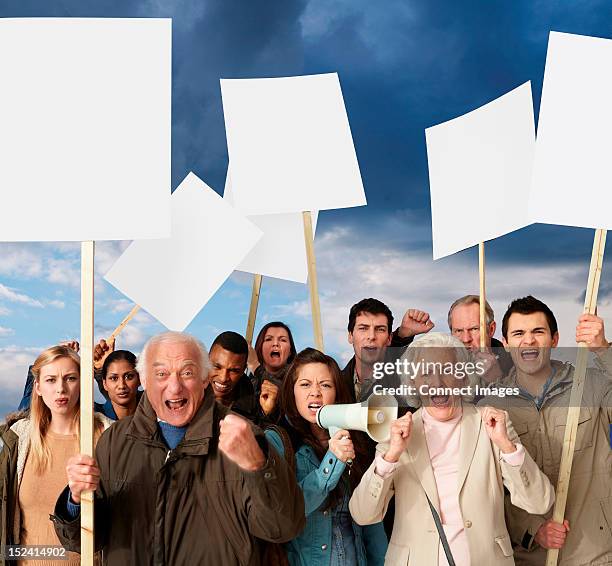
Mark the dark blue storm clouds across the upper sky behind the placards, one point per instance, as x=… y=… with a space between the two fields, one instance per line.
x=404 y=66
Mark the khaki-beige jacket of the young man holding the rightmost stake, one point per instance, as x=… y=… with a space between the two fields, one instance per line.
x=589 y=502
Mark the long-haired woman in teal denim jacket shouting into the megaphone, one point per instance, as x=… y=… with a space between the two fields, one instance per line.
x=331 y=537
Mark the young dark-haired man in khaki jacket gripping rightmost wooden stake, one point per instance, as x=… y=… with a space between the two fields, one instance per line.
x=539 y=414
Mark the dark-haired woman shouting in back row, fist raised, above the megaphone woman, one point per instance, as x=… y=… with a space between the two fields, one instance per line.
x=274 y=351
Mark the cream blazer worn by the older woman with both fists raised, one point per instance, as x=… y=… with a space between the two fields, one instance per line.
x=482 y=476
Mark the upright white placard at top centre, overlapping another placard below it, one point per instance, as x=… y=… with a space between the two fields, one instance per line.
x=290 y=145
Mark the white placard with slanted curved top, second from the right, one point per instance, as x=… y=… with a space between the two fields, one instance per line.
x=480 y=168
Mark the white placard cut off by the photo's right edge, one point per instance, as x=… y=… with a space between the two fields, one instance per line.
x=572 y=179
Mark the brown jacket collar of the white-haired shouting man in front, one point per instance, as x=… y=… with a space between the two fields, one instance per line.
x=199 y=432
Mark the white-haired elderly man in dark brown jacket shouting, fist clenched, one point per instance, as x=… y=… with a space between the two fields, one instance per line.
x=183 y=481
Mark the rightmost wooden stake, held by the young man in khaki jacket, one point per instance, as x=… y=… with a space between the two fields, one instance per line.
x=573 y=413
